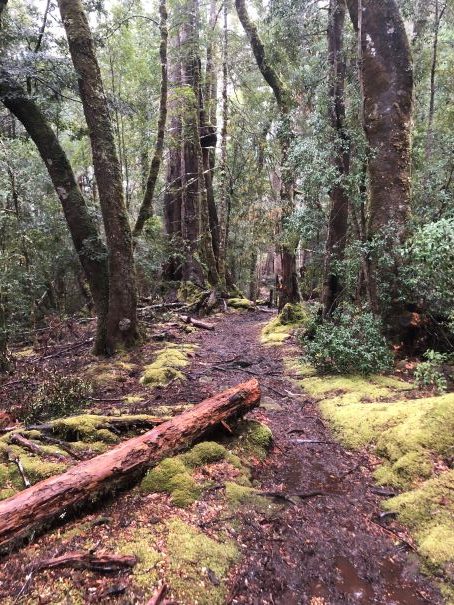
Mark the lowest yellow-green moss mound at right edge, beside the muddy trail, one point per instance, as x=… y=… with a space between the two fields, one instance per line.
x=429 y=512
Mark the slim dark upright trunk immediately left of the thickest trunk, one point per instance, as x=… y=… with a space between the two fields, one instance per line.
x=338 y=216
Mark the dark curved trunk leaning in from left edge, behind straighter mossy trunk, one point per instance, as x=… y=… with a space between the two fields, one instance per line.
x=87 y=243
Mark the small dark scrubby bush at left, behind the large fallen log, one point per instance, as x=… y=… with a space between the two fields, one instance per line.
x=56 y=396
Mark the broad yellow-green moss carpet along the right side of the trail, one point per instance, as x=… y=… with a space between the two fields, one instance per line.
x=414 y=438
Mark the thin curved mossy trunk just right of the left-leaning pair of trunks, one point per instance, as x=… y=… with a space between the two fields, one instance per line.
x=146 y=209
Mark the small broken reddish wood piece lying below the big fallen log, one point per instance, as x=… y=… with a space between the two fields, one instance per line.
x=106 y=563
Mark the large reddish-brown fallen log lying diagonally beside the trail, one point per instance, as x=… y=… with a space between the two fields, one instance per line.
x=46 y=501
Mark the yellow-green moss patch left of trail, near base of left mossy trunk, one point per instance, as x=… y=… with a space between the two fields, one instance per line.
x=167 y=366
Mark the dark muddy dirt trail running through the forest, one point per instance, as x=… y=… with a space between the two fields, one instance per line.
x=326 y=549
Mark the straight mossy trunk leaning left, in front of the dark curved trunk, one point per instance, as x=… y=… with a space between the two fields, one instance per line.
x=122 y=317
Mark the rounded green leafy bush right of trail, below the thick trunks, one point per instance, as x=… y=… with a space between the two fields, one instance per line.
x=351 y=343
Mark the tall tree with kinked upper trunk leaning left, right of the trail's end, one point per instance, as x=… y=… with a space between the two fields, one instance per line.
x=290 y=291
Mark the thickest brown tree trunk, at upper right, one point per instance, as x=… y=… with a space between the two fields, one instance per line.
x=386 y=76
